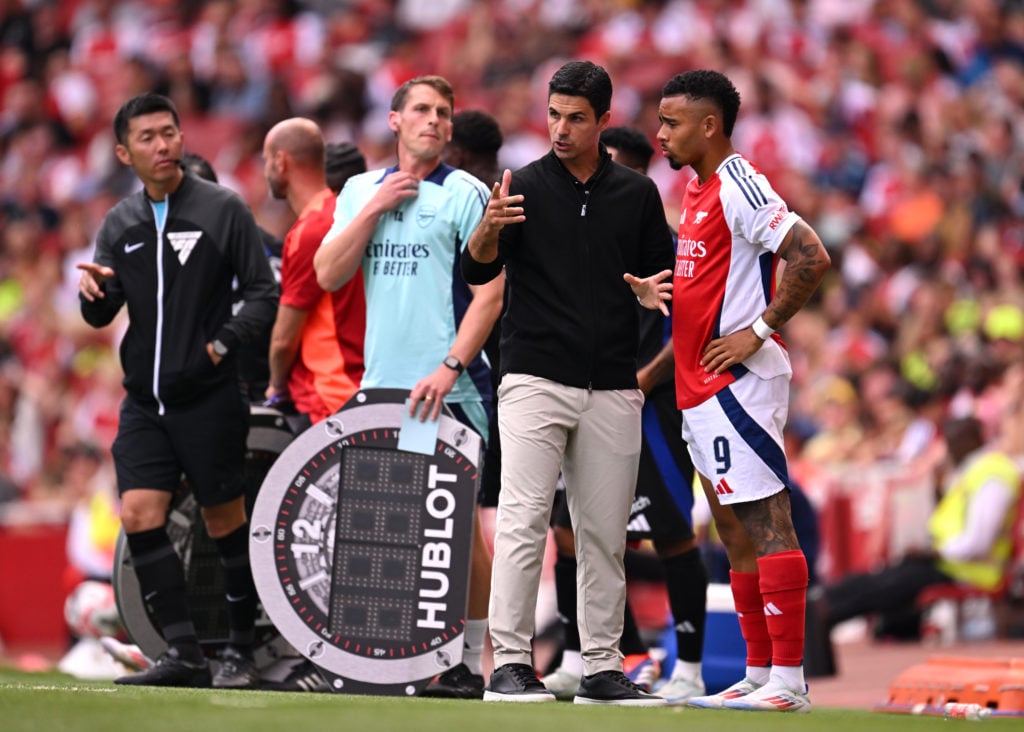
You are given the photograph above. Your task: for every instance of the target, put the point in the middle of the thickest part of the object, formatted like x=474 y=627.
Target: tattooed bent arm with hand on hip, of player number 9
x=806 y=264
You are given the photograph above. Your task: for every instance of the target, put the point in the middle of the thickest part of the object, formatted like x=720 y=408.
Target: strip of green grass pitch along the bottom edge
x=54 y=703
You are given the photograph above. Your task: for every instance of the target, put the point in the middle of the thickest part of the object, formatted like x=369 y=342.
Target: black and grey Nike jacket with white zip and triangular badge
x=178 y=286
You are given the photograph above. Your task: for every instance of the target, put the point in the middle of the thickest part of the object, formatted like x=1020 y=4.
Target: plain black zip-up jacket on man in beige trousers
x=570 y=316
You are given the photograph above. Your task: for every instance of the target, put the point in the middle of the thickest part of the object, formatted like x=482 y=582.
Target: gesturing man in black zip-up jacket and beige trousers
x=569 y=398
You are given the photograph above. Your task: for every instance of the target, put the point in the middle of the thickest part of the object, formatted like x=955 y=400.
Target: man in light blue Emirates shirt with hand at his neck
x=406 y=227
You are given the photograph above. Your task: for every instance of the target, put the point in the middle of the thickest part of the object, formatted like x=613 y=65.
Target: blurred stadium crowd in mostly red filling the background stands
x=894 y=128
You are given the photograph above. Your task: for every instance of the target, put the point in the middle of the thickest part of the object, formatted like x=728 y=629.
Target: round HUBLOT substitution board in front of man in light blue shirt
x=361 y=550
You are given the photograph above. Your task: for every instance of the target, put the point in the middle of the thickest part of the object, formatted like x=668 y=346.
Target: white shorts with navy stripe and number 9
x=736 y=439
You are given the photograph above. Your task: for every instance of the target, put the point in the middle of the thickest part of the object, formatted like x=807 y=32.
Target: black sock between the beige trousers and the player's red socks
x=687 y=583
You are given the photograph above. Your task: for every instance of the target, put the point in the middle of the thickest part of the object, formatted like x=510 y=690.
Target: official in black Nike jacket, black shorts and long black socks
x=170 y=253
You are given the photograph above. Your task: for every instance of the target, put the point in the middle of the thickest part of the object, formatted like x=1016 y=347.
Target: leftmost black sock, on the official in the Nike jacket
x=162 y=582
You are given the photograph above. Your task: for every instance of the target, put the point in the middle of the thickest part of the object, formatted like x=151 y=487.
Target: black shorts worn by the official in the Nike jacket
x=203 y=441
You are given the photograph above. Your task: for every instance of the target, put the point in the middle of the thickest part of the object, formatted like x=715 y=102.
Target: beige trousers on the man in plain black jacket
x=593 y=438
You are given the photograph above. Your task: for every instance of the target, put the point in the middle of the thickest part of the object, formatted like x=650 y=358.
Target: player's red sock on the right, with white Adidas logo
x=784 y=589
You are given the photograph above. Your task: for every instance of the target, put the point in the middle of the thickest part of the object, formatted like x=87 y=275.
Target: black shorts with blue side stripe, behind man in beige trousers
x=663 y=506
